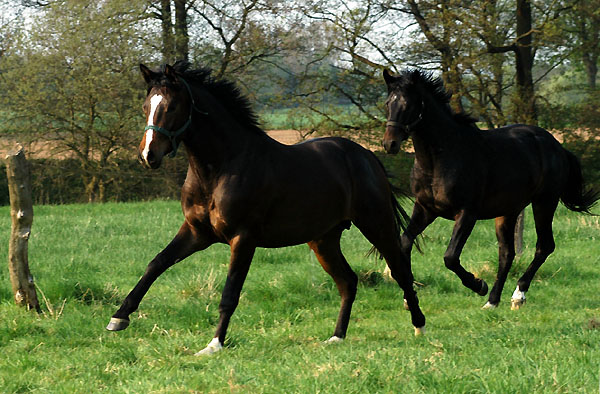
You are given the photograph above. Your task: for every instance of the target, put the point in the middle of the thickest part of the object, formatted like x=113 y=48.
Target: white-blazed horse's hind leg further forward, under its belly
x=329 y=254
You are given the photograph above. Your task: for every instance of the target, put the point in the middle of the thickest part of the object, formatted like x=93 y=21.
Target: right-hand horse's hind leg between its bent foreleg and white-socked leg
x=505 y=232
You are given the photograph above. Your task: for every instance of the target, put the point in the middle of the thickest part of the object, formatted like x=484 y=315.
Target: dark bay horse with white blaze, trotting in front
x=247 y=190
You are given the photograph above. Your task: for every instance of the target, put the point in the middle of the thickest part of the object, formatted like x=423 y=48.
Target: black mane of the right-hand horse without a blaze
x=410 y=79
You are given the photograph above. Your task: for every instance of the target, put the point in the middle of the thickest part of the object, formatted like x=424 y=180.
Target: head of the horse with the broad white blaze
x=168 y=108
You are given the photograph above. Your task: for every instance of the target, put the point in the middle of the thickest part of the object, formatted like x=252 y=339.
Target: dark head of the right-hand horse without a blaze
x=404 y=110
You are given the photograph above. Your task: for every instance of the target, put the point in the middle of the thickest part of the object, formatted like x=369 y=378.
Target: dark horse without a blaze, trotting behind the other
x=465 y=174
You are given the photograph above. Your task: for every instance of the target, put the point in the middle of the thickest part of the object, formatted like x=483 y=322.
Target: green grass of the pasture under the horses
x=87 y=257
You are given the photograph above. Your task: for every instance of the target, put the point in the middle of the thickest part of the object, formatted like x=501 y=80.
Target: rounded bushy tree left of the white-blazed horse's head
x=63 y=84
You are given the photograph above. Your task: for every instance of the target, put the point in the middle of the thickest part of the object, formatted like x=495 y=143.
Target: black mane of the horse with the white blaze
x=226 y=92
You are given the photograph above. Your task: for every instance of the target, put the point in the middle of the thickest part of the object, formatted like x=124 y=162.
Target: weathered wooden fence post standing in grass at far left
x=21 y=212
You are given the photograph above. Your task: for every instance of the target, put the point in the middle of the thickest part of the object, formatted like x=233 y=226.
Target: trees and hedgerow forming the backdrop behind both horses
x=70 y=83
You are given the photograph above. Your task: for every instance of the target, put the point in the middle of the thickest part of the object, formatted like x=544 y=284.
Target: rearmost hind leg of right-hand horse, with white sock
x=543 y=214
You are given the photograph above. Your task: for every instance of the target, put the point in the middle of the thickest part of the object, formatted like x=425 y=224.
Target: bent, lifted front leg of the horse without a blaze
x=462 y=229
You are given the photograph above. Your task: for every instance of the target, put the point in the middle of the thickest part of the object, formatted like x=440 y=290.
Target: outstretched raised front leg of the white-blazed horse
x=186 y=242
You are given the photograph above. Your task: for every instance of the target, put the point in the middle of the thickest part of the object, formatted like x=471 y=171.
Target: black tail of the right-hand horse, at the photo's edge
x=576 y=195
